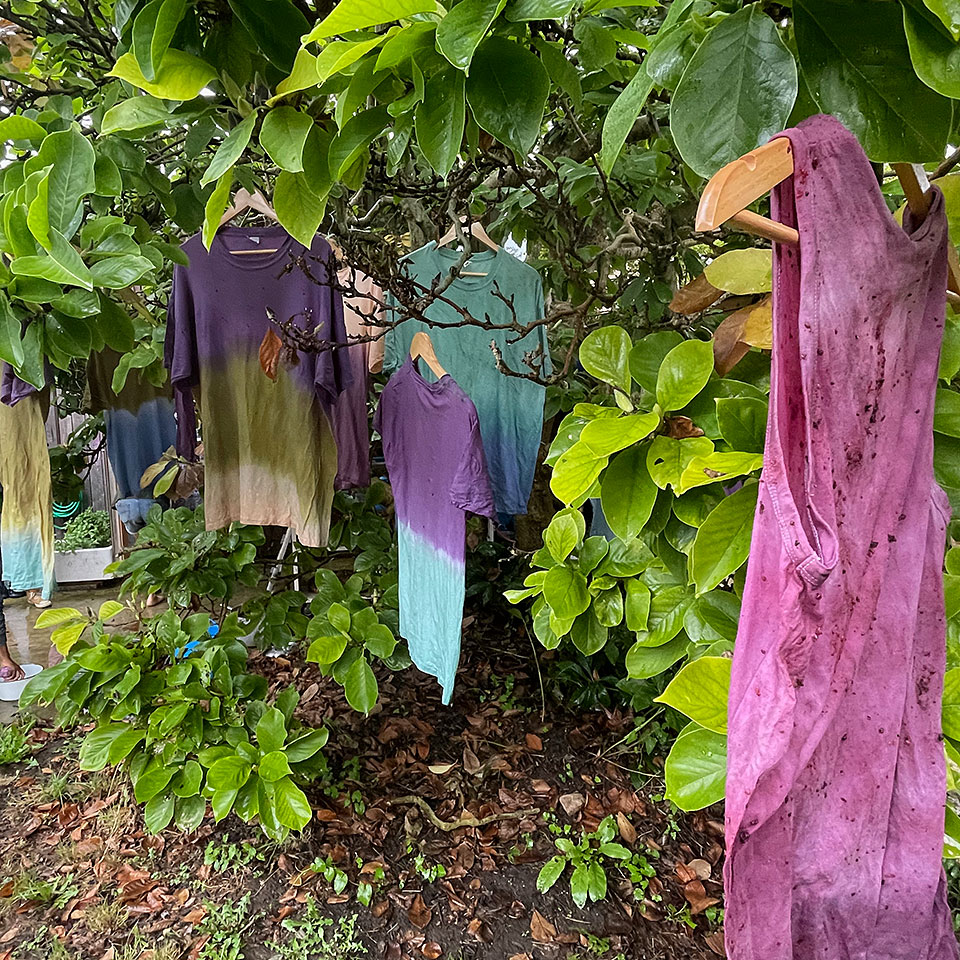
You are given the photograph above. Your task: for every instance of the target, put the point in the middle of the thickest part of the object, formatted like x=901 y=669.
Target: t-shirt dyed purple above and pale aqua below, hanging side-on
x=435 y=459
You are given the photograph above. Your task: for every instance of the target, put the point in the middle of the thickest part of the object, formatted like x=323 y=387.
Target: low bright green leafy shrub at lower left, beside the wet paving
x=175 y=706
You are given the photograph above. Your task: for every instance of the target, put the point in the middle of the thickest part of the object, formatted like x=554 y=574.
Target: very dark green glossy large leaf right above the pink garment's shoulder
x=858 y=68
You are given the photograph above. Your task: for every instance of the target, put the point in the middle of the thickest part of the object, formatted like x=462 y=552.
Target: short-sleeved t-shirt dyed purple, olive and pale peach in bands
x=269 y=452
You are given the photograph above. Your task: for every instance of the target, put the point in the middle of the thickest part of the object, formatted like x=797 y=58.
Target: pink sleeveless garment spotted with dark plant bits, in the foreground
x=835 y=772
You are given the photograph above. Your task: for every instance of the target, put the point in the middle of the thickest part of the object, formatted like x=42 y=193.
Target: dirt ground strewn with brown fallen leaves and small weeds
x=374 y=875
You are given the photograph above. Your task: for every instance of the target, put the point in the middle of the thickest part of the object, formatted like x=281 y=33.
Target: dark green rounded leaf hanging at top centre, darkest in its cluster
x=507 y=92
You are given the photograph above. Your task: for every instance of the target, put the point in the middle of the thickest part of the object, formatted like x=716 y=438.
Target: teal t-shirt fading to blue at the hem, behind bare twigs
x=510 y=408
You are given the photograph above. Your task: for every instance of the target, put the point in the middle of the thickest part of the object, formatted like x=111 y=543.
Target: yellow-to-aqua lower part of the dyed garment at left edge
x=26 y=521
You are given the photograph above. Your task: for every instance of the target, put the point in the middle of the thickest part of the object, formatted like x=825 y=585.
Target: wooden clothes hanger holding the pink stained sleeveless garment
x=756 y=173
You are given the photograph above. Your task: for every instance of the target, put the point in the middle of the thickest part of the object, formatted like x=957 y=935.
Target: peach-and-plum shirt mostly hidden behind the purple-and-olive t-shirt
x=351 y=423
